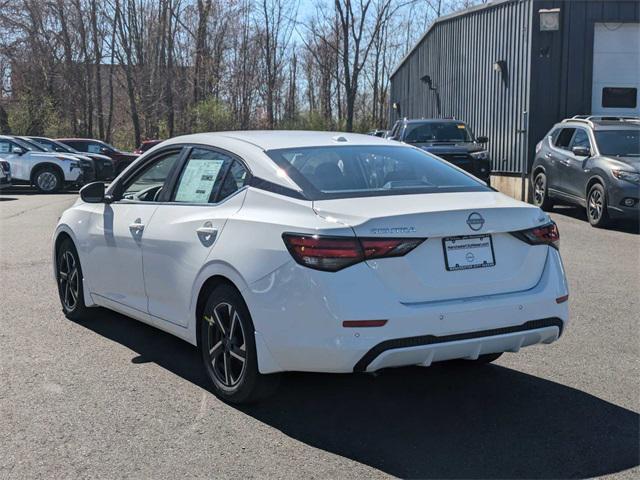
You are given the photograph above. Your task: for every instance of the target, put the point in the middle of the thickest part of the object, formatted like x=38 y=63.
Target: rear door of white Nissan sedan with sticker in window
x=183 y=232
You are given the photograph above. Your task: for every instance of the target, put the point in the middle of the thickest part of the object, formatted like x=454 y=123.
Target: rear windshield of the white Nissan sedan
x=360 y=171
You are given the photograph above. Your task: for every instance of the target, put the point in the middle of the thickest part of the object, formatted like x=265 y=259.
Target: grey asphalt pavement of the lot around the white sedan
x=112 y=398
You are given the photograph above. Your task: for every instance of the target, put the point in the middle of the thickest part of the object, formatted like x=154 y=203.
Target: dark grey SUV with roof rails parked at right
x=593 y=162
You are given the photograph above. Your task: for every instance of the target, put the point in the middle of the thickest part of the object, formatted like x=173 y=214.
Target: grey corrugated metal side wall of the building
x=459 y=54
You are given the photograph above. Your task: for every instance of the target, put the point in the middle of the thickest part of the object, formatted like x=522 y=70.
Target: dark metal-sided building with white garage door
x=511 y=69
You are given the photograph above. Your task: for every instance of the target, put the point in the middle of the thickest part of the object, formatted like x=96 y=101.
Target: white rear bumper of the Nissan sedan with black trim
x=299 y=313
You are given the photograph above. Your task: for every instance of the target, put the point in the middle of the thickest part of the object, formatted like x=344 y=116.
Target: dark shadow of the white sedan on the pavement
x=445 y=421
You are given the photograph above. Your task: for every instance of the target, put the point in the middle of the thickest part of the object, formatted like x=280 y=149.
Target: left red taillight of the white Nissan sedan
x=335 y=253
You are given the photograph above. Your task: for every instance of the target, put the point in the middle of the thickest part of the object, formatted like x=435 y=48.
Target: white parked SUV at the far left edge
x=47 y=171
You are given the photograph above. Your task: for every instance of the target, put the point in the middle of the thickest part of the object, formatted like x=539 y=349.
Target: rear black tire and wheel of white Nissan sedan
x=228 y=348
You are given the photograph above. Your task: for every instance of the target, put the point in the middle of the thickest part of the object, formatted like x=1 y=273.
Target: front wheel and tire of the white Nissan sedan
x=69 y=279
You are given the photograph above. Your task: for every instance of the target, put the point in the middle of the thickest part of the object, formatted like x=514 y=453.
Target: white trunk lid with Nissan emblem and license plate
x=423 y=275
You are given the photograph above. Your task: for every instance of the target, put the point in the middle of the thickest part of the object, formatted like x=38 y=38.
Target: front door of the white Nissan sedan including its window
x=116 y=233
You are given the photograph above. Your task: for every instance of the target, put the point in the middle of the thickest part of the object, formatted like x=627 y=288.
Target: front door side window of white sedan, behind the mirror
x=146 y=185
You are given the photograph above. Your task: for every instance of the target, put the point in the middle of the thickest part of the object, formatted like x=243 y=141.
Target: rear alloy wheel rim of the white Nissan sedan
x=227 y=345
